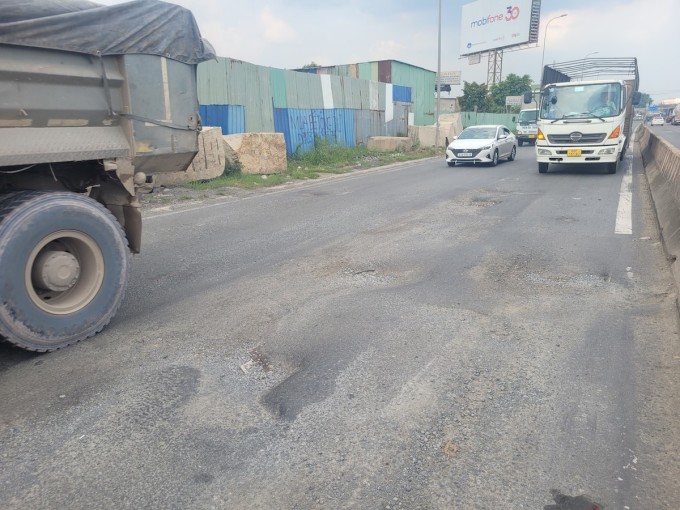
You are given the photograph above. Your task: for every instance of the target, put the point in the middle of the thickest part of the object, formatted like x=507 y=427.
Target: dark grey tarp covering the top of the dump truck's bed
x=142 y=26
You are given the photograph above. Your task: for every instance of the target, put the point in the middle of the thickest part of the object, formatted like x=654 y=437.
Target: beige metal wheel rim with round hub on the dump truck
x=78 y=259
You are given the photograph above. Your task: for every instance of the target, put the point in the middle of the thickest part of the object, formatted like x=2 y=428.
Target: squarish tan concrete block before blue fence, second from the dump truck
x=257 y=153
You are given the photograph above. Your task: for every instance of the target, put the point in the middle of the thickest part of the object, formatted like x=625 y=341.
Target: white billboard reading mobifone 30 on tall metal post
x=495 y=24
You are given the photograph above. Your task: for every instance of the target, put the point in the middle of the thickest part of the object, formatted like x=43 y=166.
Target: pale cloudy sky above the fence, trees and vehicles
x=289 y=34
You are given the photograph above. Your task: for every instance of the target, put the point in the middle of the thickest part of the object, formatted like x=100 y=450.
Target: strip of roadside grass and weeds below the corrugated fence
x=325 y=158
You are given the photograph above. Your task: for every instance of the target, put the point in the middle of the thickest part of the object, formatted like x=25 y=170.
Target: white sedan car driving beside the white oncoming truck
x=482 y=144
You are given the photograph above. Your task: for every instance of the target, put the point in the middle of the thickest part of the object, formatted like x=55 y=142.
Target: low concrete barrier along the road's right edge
x=662 y=167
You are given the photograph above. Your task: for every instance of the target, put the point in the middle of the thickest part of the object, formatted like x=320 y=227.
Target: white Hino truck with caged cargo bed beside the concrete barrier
x=582 y=120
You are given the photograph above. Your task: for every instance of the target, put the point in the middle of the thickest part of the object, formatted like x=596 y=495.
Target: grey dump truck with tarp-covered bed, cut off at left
x=94 y=100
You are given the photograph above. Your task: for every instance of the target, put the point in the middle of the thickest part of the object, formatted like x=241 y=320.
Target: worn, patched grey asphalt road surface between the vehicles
x=415 y=336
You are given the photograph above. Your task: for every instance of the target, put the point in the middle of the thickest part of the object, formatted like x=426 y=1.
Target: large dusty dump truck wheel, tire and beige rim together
x=64 y=263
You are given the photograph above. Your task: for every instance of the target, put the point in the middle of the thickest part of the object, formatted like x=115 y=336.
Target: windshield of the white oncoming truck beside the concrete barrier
x=581 y=101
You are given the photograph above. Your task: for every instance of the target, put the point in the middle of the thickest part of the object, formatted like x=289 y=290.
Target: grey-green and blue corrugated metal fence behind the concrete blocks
x=240 y=97
